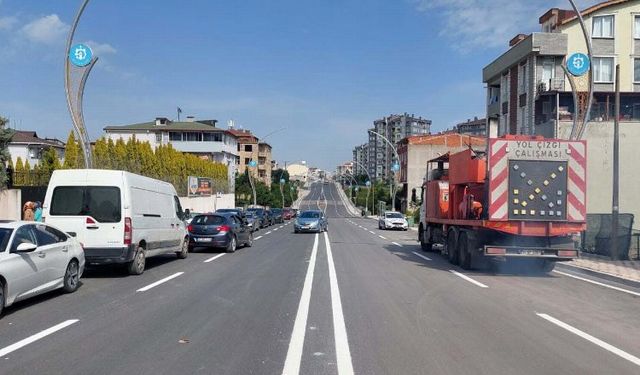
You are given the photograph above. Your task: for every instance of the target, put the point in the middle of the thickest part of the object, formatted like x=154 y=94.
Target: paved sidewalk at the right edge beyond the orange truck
x=624 y=269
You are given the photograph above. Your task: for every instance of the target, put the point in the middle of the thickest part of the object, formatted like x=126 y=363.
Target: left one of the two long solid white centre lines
x=294 y=353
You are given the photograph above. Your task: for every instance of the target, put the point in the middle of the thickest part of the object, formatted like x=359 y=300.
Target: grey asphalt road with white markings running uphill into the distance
x=356 y=300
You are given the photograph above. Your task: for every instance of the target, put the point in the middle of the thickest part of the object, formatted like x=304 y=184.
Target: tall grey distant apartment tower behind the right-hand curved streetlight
x=381 y=156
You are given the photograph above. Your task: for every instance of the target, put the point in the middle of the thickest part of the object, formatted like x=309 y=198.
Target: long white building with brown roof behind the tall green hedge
x=201 y=138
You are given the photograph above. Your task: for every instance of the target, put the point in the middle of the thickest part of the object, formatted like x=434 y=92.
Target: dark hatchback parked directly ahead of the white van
x=222 y=230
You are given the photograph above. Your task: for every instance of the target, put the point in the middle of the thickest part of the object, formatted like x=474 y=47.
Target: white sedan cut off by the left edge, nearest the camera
x=36 y=258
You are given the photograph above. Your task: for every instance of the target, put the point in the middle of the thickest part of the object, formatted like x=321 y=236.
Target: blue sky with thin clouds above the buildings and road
x=324 y=69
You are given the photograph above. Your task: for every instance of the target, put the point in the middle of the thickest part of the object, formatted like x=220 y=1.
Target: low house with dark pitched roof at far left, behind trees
x=27 y=146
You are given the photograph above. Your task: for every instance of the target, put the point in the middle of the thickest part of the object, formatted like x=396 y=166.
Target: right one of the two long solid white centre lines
x=343 y=354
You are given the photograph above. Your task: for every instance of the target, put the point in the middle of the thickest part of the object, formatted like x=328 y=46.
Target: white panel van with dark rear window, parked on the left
x=119 y=217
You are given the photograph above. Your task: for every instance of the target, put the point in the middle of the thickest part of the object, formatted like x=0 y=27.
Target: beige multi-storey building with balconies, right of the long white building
x=250 y=148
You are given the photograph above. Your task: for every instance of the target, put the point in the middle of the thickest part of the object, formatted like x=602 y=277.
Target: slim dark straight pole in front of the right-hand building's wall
x=615 y=209
